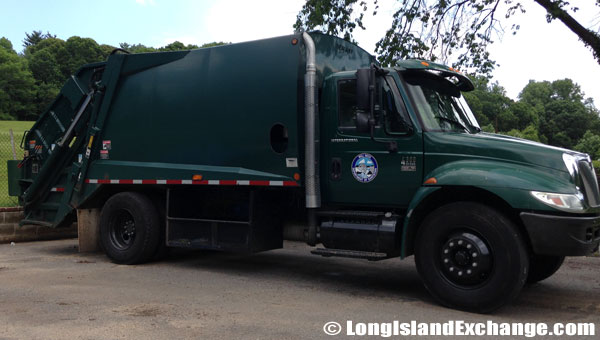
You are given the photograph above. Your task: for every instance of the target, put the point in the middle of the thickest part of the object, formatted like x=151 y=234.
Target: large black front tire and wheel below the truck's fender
x=471 y=257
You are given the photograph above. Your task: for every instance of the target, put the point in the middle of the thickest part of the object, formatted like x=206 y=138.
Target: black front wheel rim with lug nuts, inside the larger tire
x=466 y=260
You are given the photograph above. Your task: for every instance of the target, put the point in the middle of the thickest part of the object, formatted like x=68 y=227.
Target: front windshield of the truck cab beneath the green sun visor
x=440 y=104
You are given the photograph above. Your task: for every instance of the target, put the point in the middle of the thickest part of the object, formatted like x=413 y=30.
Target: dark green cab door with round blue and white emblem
x=361 y=171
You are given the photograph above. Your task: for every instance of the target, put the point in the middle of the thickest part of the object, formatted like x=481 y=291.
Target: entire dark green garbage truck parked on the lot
x=223 y=148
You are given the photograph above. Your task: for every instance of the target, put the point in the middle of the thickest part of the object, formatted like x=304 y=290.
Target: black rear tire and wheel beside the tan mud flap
x=129 y=228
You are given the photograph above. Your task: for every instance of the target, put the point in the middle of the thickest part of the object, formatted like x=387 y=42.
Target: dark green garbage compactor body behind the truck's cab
x=173 y=115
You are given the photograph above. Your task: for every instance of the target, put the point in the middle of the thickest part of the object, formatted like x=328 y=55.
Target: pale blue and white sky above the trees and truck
x=539 y=51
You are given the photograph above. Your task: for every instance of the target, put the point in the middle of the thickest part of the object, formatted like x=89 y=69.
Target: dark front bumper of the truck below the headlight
x=562 y=235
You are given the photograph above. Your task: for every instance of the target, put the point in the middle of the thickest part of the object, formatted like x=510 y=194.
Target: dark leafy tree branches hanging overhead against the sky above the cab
x=438 y=29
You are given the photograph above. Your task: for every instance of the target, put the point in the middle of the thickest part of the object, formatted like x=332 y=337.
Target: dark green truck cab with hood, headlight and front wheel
x=482 y=213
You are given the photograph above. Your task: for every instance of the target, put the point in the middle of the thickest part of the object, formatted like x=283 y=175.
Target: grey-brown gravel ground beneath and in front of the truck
x=50 y=291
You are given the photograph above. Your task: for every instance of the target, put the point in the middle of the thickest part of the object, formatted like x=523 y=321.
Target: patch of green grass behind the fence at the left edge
x=6 y=153
